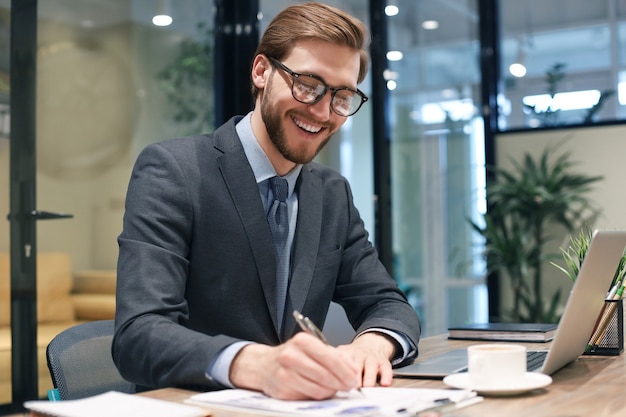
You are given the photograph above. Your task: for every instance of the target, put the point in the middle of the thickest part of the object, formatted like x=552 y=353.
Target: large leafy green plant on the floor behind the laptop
x=525 y=204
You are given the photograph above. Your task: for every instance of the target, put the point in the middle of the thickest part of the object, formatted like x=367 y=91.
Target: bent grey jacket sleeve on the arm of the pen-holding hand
x=150 y=347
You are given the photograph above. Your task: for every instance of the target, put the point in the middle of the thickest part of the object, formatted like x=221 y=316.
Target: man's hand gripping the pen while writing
x=301 y=368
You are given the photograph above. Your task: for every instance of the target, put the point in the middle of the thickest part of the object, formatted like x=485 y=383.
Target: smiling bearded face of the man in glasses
x=299 y=131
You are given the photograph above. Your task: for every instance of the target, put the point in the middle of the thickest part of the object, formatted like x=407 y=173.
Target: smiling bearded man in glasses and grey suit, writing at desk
x=211 y=266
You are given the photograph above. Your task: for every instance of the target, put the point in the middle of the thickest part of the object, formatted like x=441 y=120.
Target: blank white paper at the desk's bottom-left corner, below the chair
x=115 y=404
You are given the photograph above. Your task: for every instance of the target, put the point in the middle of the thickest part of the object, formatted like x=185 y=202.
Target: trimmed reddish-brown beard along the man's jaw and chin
x=273 y=125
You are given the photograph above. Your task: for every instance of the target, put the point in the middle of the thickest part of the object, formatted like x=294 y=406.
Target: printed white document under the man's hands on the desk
x=376 y=401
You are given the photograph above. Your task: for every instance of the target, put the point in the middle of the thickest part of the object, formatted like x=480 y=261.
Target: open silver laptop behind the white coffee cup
x=577 y=322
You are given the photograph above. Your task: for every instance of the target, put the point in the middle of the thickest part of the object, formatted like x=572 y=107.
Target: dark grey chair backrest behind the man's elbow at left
x=80 y=361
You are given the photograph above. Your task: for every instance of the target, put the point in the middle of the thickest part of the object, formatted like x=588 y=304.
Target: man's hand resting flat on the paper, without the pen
x=372 y=352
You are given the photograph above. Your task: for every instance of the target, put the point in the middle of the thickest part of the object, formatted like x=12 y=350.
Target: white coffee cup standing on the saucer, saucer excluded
x=496 y=365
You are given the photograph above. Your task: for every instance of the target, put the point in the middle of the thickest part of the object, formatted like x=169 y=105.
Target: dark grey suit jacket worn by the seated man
x=196 y=267
